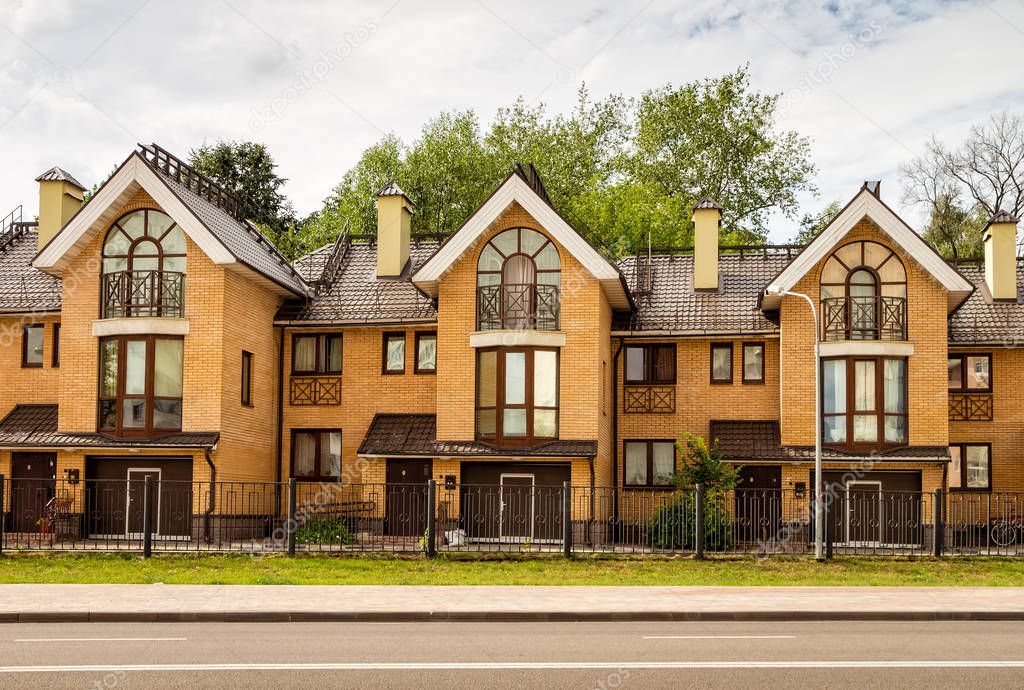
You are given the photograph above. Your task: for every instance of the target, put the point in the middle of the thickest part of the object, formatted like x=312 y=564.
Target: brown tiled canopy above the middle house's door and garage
x=398 y=435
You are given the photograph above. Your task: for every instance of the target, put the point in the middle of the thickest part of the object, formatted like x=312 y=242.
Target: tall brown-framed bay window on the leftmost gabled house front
x=141 y=381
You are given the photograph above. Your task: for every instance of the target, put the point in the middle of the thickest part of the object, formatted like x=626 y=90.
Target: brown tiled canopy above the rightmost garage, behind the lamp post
x=747 y=441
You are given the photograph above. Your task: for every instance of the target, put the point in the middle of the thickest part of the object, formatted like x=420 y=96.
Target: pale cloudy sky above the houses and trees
x=82 y=81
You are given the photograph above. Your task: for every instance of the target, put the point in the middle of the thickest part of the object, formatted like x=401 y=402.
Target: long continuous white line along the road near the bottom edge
x=510 y=666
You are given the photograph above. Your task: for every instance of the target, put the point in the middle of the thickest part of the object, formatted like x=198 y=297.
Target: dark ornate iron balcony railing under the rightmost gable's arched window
x=864 y=318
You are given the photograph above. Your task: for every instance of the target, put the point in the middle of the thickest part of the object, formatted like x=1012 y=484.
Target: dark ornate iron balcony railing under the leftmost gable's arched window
x=144 y=294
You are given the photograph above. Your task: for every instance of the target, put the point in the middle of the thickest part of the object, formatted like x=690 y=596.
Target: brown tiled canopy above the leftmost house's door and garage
x=36 y=426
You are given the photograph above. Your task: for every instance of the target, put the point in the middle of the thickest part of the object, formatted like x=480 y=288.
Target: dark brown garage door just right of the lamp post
x=877 y=508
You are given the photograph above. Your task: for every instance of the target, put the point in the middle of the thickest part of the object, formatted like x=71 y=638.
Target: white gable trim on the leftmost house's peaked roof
x=76 y=235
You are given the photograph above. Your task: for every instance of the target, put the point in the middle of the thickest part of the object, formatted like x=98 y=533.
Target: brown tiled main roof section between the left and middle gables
x=357 y=295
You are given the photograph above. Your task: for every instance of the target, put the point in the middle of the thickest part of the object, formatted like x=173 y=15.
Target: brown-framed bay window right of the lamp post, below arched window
x=864 y=403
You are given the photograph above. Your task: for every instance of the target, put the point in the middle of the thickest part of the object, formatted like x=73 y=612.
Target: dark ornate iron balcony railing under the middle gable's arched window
x=518 y=308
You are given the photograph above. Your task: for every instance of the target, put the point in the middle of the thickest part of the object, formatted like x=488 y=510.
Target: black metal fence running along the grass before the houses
x=149 y=515
